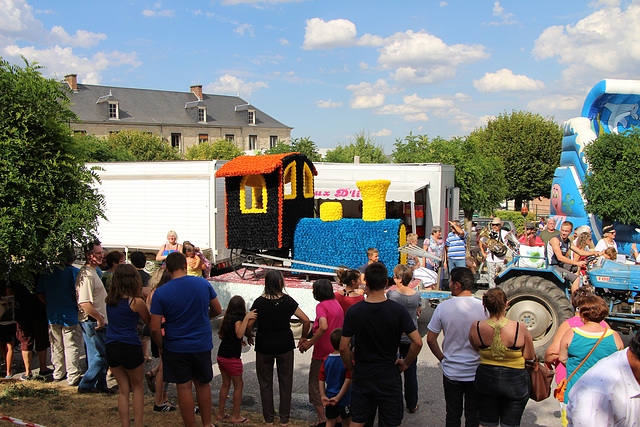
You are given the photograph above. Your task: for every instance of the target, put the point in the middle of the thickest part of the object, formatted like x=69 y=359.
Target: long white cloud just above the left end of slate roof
x=61 y=60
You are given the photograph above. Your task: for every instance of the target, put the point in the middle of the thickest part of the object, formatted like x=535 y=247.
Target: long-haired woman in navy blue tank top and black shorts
x=123 y=346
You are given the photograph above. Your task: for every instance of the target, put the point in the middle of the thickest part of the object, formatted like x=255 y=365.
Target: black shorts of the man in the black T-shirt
x=381 y=392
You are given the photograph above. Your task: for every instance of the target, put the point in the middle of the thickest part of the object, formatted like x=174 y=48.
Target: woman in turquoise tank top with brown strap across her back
x=577 y=342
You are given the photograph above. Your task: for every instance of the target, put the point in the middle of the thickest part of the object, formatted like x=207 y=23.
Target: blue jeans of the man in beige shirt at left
x=96 y=375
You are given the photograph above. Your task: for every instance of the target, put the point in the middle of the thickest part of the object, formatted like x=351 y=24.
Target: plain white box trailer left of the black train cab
x=144 y=200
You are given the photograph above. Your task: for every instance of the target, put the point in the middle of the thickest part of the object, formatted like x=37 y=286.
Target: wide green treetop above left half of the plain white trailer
x=143 y=146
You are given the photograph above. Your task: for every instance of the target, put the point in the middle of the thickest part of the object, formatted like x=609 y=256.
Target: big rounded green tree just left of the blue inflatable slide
x=528 y=146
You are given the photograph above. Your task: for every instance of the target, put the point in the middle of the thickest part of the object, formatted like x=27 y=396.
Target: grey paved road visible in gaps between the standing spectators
x=431 y=396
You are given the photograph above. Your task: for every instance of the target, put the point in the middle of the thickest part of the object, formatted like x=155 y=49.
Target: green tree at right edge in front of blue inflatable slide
x=611 y=188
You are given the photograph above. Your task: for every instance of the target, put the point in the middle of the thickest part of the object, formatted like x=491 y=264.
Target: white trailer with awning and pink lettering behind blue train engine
x=422 y=194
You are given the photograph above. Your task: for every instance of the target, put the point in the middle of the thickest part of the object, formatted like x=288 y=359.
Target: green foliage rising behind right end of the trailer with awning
x=479 y=177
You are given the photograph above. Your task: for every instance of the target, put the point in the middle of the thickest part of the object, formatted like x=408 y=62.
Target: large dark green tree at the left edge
x=47 y=203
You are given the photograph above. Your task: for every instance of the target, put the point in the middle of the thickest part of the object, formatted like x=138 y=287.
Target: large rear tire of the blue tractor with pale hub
x=539 y=304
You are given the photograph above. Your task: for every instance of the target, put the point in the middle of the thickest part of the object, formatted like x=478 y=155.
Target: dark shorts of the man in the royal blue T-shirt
x=180 y=368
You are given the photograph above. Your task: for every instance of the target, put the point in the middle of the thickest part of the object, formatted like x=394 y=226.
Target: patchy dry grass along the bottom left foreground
x=56 y=404
